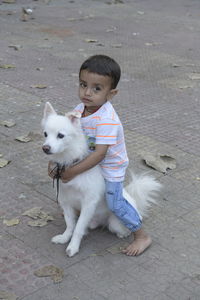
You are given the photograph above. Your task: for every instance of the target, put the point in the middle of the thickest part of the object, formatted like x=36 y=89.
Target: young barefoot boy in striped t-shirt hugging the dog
x=98 y=78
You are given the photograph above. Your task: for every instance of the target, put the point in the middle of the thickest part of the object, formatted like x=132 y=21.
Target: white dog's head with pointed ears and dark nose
x=59 y=131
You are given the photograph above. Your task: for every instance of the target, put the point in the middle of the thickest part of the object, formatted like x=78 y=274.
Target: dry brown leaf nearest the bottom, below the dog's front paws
x=55 y=273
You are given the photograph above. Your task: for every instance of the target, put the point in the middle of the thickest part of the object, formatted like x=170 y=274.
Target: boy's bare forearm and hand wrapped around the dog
x=89 y=162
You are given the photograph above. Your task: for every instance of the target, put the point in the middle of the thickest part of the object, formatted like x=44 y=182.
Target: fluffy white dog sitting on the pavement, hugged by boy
x=66 y=143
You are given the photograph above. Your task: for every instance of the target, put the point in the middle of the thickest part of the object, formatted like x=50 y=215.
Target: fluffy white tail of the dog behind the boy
x=141 y=192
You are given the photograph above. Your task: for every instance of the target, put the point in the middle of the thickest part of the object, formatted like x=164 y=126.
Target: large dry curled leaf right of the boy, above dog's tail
x=161 y=163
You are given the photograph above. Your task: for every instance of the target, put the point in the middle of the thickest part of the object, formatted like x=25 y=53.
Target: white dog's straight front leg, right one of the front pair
x=82 y=224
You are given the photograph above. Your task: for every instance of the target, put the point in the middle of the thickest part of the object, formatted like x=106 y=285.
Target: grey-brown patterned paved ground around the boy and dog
x=158 y=47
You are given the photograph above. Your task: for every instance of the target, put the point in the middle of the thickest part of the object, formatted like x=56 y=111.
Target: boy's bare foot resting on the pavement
x=141 y=242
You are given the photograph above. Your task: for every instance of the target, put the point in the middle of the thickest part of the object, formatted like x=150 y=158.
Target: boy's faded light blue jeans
x=127 y=214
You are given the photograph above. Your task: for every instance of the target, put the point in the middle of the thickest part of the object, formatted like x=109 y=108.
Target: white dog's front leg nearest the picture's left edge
x=70 y=219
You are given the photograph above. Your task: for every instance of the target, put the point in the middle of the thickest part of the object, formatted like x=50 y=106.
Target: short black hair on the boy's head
x=103 y=65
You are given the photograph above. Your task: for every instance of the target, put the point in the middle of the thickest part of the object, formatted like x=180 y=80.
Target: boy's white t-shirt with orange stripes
x=104 y=127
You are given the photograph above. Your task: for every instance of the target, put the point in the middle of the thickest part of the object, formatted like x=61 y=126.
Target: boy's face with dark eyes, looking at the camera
x=95 y=89
